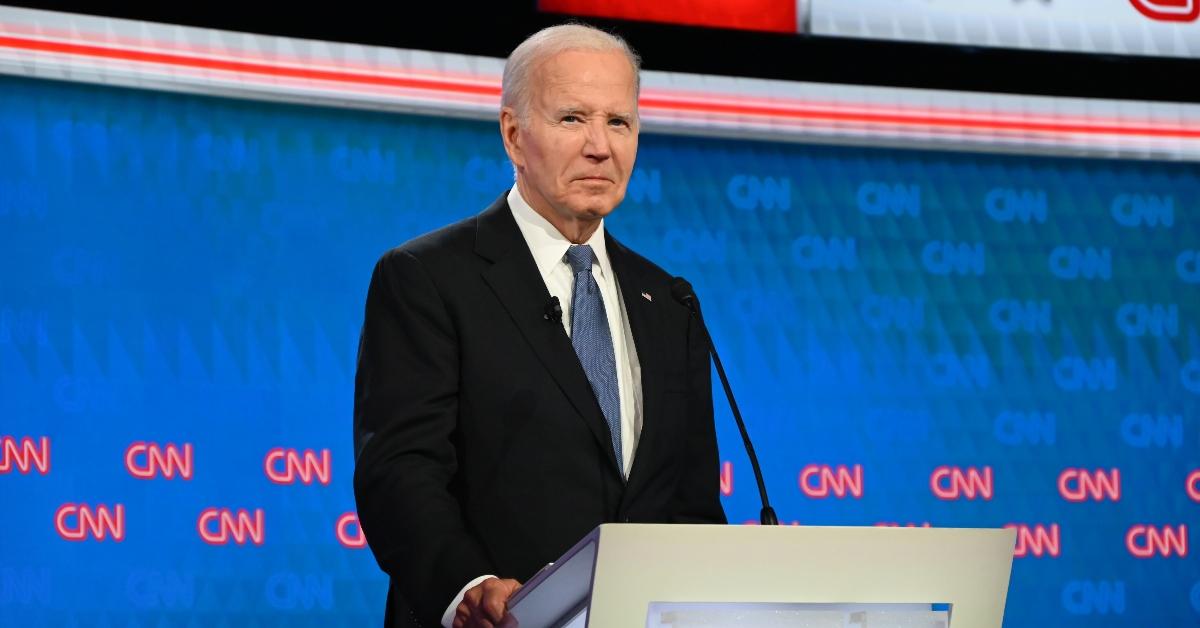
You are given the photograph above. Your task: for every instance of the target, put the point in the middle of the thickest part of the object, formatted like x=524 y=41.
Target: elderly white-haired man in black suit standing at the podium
x=523 y=376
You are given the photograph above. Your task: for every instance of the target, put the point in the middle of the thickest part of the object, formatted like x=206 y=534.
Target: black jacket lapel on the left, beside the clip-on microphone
x=517 y=283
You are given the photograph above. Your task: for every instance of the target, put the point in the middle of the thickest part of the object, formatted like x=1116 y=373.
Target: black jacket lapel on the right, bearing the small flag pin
x=645 y=322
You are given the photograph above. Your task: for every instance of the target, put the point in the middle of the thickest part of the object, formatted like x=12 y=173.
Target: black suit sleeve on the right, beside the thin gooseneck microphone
x=698 y=497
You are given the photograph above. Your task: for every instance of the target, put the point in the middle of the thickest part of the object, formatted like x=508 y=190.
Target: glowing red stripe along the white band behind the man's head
x=788 y=115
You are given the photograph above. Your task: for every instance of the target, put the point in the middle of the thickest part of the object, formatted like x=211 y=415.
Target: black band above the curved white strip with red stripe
x=495 y=28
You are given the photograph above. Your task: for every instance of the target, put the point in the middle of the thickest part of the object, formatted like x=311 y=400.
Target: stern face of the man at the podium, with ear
x=578 y=148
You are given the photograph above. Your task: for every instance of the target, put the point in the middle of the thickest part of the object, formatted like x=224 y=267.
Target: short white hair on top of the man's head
x=547 y=44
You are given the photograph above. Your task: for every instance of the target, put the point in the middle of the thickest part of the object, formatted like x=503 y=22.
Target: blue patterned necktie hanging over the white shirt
x=593 y=342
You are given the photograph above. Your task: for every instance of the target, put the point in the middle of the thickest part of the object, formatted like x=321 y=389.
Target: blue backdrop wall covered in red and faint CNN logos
x=916 y=337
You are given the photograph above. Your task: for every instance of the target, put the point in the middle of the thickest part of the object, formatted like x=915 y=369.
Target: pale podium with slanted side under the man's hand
x=680 y=576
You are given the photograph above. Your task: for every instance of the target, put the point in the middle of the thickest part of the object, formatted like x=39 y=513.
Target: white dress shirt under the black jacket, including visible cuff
x=549 y=249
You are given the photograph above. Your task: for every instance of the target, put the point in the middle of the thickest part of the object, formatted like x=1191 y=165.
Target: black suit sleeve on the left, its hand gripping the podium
x=406 y=408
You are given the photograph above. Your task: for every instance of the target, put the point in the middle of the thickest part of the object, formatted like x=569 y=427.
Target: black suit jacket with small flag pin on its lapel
x=481 y=447
